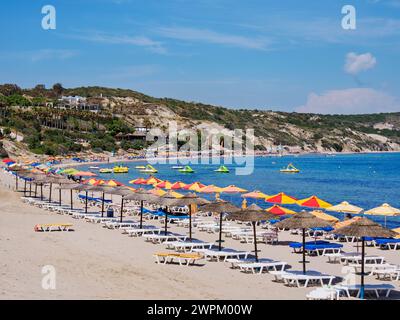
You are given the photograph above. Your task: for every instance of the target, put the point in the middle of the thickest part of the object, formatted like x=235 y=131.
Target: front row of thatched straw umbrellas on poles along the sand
x=361 y=227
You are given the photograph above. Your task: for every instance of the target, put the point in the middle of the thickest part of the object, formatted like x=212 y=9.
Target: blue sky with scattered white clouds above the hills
x=282 y=55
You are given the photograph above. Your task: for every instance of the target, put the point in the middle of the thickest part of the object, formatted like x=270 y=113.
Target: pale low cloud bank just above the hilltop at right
x=350 y=101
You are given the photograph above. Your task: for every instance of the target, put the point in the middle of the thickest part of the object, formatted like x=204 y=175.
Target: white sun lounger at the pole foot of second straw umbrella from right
x=300 y=279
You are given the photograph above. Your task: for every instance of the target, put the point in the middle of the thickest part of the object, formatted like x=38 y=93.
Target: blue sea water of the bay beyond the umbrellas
x=366 y=180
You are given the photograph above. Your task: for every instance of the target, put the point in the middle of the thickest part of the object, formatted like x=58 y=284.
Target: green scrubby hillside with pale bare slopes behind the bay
x=53 y=131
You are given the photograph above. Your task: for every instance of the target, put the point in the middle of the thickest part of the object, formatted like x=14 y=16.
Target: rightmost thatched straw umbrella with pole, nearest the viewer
x=364 y=228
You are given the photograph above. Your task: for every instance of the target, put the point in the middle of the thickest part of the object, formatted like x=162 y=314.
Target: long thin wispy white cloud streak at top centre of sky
x=209 y=36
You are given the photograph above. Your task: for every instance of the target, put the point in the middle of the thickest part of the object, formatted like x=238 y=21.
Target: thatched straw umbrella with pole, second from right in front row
x=303 y=220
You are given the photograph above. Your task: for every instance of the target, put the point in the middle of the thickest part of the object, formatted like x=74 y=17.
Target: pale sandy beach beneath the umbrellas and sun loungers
x=93 y=262
